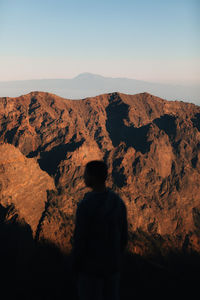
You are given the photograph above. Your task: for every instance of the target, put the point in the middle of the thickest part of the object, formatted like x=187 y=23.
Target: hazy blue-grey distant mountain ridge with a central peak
x=90 y=85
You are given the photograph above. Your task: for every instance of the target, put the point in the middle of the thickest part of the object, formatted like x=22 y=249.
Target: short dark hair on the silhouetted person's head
x=97 y=169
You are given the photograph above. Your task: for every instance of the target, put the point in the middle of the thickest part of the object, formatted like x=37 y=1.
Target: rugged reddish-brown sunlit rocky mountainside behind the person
x=151 y=146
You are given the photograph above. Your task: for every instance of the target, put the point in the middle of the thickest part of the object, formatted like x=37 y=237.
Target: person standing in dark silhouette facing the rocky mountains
x=100 y=237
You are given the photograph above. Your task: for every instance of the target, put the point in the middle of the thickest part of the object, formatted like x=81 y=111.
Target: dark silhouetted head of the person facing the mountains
x=96 y=173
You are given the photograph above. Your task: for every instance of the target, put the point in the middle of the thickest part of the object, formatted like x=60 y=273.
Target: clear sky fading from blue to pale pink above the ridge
x=152 y=40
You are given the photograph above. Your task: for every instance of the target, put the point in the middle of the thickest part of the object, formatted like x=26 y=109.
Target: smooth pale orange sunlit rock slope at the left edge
x=23 y=185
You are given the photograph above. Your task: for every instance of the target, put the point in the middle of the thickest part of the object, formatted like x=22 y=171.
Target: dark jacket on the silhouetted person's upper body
x=101 y=233
